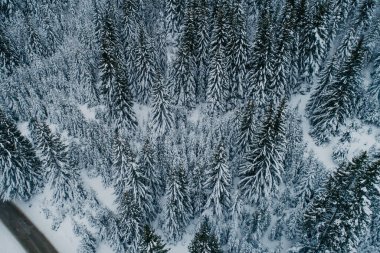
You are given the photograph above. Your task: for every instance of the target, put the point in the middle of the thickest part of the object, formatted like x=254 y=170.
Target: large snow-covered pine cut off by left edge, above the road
x=20 y=169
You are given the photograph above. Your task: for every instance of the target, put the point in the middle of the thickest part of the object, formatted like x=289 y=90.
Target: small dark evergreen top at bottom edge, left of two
x=151 y=243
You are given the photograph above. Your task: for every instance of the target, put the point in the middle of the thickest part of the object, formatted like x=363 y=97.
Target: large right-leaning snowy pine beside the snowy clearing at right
x=339 y=99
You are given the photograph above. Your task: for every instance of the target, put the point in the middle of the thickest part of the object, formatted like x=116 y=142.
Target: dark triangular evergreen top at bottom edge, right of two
x=205 y=240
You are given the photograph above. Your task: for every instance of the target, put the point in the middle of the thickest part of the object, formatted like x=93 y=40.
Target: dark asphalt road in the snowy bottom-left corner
x=23 y=229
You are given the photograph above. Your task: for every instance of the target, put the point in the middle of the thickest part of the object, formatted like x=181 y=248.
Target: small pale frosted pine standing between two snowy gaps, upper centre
x=162 y=115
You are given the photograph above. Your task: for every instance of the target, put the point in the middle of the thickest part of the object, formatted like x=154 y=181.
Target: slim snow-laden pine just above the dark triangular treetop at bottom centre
x=218 y=182
